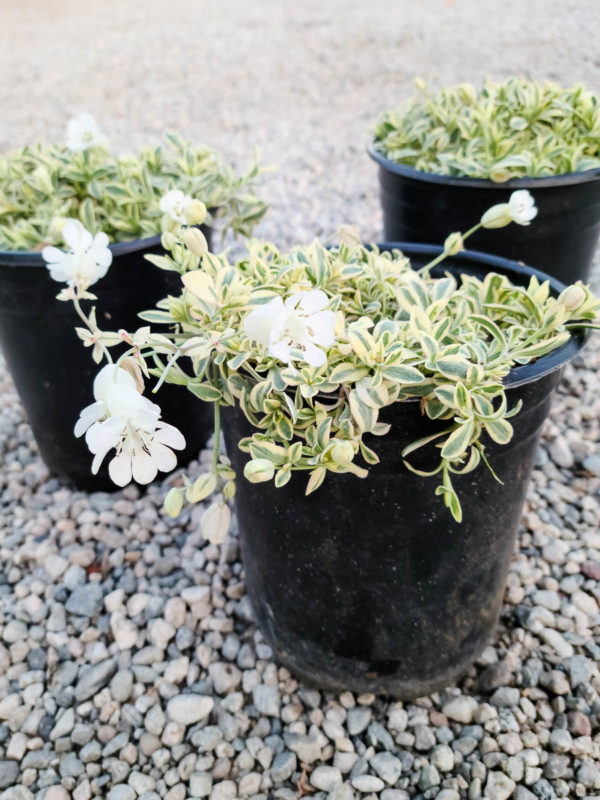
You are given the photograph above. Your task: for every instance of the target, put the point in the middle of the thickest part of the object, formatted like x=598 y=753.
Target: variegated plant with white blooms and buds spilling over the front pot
x=313 y=344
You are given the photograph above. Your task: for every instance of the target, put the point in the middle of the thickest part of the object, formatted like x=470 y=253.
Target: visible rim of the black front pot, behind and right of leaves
x=526 y=373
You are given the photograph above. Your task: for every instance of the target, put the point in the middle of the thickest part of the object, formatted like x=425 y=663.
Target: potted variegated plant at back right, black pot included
x=446 y=156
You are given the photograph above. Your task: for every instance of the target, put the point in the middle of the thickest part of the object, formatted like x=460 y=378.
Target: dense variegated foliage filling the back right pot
x=501 y=131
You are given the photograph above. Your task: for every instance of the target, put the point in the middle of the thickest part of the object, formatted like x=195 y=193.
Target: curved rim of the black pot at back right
x=565 y=179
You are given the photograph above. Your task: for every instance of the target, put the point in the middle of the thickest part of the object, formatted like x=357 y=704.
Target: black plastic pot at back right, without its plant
x=561 y=240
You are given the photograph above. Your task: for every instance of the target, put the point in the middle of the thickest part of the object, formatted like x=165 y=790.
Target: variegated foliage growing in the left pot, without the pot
x=43 y=185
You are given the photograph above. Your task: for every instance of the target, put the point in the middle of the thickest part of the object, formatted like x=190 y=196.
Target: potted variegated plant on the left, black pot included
x=131 y=199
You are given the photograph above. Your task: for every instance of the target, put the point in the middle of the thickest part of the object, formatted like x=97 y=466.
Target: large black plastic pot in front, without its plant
x=369 y=584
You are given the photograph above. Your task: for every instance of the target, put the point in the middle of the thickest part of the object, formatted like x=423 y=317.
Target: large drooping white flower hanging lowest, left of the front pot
x=123 y=419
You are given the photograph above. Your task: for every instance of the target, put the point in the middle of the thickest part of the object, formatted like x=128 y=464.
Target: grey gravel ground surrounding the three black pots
x=110 y=612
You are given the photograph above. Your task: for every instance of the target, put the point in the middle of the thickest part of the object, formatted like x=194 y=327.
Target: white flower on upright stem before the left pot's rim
x=86 y=260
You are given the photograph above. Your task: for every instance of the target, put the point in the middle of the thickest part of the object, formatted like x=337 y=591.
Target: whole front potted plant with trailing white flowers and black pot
x=429 y=381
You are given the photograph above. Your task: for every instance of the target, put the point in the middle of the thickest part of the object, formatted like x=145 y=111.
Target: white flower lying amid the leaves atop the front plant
x=292 y=330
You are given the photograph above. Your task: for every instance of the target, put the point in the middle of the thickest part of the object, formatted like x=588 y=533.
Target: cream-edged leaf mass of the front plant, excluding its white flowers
x=400 y=334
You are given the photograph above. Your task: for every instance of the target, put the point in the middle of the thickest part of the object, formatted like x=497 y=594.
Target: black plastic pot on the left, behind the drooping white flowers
x=53 y=372
